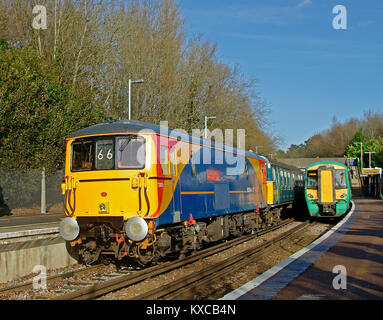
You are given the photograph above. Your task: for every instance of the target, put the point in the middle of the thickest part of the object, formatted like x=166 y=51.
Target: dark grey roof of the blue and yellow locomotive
x=132 y=126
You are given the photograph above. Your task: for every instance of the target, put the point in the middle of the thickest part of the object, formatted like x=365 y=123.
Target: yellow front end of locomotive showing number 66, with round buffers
x=108 y=197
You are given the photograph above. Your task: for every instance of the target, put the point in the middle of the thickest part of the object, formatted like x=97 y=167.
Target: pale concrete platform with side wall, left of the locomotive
x=30 y=240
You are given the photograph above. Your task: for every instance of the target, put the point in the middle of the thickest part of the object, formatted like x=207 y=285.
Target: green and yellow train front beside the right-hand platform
x=327 y=189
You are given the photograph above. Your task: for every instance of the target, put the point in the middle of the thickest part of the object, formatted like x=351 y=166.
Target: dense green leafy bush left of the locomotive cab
x=37 y=111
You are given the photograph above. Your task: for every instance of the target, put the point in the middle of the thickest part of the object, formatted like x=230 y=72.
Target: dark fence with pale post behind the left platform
x=23 y=192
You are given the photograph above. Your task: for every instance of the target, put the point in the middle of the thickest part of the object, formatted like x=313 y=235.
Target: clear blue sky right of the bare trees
x=307 y=71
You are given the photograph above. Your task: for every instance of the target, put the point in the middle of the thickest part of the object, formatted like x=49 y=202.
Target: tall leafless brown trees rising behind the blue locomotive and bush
x=100 y=45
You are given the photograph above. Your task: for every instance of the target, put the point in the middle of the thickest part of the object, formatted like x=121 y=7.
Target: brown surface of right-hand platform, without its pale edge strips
x=360 y=251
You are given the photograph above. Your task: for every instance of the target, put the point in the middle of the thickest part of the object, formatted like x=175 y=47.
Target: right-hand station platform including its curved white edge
x=346 y=263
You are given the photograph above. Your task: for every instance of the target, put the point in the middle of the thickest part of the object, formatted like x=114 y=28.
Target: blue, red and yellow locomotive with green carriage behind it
x=138 y=191
